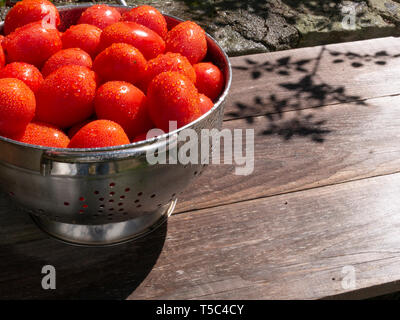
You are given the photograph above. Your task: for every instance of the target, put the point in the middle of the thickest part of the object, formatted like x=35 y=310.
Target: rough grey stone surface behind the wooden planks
x=253 y=26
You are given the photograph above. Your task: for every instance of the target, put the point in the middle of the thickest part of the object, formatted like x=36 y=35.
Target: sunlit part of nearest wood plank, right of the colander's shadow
x=291 y=246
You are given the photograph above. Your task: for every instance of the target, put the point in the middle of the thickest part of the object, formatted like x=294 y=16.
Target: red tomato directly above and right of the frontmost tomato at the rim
x=124 y=104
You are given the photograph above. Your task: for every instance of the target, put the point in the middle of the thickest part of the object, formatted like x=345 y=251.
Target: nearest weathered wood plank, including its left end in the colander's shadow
x=288 y=246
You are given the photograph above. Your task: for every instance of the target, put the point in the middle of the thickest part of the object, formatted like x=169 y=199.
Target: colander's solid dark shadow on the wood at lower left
x=81 y=272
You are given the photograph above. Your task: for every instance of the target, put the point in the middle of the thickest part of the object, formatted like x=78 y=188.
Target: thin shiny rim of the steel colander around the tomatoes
x=138 y=144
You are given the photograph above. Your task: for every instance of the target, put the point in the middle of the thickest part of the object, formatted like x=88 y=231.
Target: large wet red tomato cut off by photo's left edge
x=17 y=106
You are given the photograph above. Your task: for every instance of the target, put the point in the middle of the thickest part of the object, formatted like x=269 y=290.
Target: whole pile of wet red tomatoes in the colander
x=105 y=81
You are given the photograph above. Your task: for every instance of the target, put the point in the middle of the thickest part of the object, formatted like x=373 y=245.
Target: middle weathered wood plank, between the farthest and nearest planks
x=359 y=141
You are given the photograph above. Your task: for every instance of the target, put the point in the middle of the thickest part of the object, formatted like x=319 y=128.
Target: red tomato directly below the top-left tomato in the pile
x=32 y=43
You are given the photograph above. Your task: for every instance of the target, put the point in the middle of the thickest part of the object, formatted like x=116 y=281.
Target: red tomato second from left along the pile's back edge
x=100 y=16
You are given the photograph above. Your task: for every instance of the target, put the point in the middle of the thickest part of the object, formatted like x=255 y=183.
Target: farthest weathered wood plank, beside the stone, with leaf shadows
x=316 y=76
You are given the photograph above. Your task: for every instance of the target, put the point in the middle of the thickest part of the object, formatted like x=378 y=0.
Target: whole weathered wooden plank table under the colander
x=323 y=201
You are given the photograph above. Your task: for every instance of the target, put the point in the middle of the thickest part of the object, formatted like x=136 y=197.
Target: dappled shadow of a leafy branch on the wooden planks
x=308 y=91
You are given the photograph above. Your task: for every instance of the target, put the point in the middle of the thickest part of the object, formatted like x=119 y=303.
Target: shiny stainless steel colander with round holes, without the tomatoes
x=109 y=195
